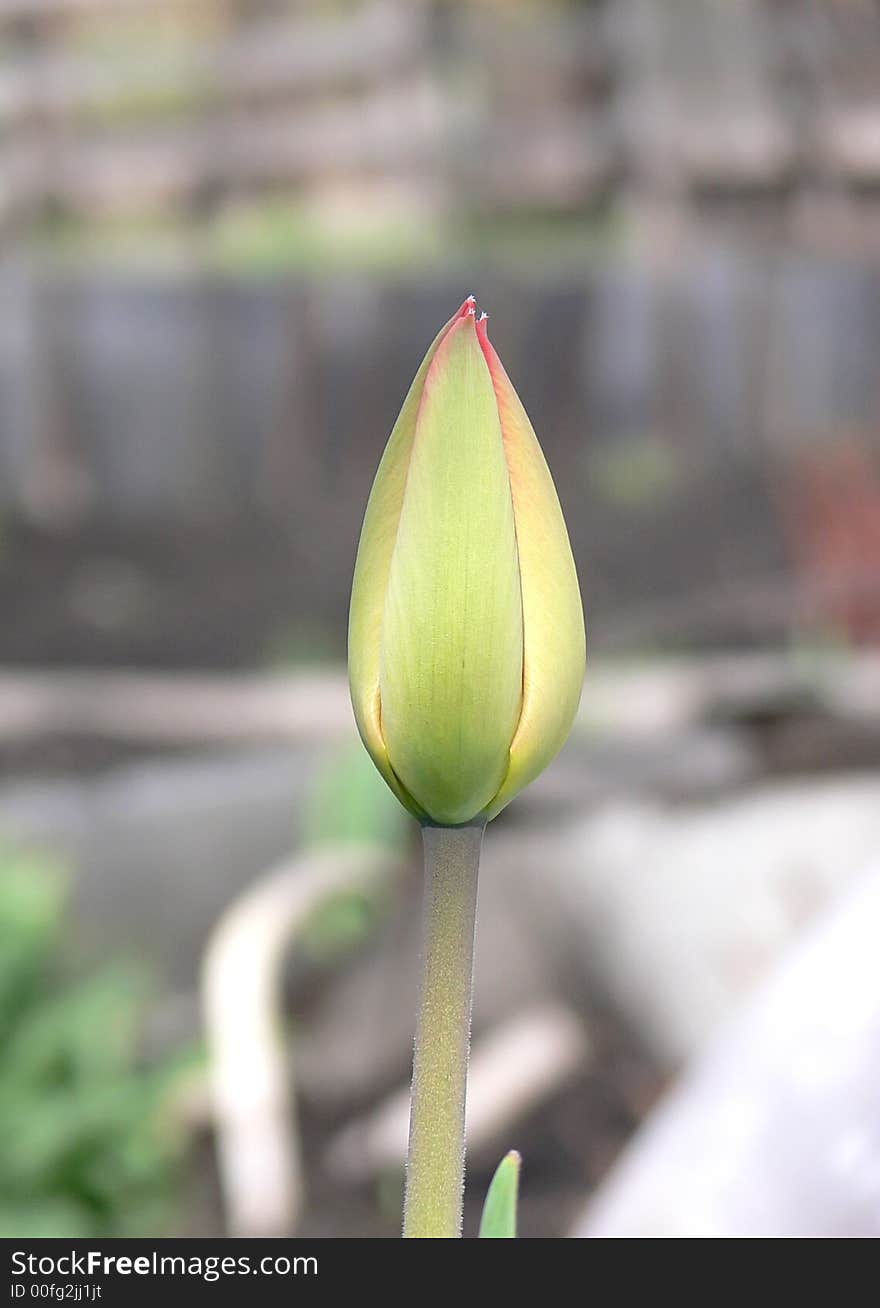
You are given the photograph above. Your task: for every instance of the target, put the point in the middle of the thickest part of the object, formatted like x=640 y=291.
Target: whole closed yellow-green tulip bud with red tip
x=466 y=630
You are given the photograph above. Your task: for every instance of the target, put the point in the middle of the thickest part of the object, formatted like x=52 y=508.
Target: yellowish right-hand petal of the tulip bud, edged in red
x=554 y=635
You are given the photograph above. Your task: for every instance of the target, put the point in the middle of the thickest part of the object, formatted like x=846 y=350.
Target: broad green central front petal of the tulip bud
x=453 y=628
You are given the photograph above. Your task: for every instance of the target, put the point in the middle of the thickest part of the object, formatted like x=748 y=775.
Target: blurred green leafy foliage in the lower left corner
x=88 y=1146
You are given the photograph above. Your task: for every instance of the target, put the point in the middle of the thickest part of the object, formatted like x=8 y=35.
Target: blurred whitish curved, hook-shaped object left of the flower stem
x=258 y=1145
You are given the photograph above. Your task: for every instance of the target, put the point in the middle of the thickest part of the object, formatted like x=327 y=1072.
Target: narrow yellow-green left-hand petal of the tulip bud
x=379 y=537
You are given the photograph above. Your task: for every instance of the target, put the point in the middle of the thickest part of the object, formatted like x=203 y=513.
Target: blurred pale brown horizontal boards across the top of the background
x=127 y=105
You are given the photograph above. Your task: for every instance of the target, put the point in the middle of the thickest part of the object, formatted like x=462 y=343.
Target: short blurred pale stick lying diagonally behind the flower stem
x=513 y=1069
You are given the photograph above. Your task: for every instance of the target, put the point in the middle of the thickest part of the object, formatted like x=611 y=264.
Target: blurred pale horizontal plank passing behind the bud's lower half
x=645 y=700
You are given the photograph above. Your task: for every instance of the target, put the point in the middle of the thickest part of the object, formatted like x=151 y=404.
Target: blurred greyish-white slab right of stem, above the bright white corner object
x=682 y=910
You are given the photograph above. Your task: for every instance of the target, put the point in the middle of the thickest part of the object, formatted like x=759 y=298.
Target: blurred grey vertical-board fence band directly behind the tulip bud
x=712 y=436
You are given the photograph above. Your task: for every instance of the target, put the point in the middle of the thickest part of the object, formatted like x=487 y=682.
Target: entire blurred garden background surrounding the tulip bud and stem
x=228 y=233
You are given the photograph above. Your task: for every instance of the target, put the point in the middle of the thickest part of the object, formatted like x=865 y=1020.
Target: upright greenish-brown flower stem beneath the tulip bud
x=436 y=1160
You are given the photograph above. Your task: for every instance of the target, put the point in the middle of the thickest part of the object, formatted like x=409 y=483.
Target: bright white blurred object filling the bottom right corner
x=775 y=1132
